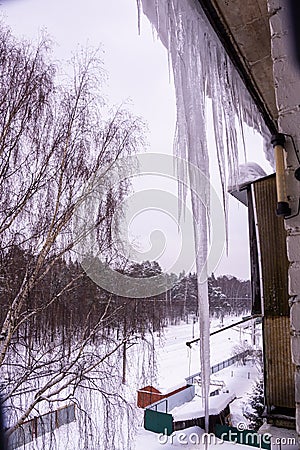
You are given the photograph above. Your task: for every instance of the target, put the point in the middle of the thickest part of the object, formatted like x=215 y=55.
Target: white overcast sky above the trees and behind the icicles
x=138 y=74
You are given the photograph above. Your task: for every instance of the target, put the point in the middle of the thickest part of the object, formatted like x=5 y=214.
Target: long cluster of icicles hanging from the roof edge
x=202 y=69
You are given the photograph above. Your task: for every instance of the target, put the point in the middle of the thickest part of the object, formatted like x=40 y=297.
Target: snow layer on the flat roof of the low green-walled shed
x=195 y=408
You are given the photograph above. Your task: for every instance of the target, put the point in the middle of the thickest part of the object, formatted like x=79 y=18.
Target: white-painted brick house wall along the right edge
x=287 y=91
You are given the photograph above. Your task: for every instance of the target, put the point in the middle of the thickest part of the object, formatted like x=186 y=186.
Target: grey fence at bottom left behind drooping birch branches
x=41 y=425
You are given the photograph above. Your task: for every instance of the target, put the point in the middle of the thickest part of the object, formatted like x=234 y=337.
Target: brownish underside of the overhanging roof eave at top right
x=243 y=28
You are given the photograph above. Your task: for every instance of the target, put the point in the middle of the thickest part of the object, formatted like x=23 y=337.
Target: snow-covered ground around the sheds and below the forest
x=175 y=362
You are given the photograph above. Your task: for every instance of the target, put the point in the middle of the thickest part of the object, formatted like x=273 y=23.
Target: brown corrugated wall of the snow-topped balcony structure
x=279 y=370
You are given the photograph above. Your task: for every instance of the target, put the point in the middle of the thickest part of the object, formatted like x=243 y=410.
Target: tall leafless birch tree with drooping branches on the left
x=54 y=139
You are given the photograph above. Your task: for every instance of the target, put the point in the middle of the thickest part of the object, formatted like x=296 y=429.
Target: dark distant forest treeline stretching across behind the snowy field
x=80 y=302
